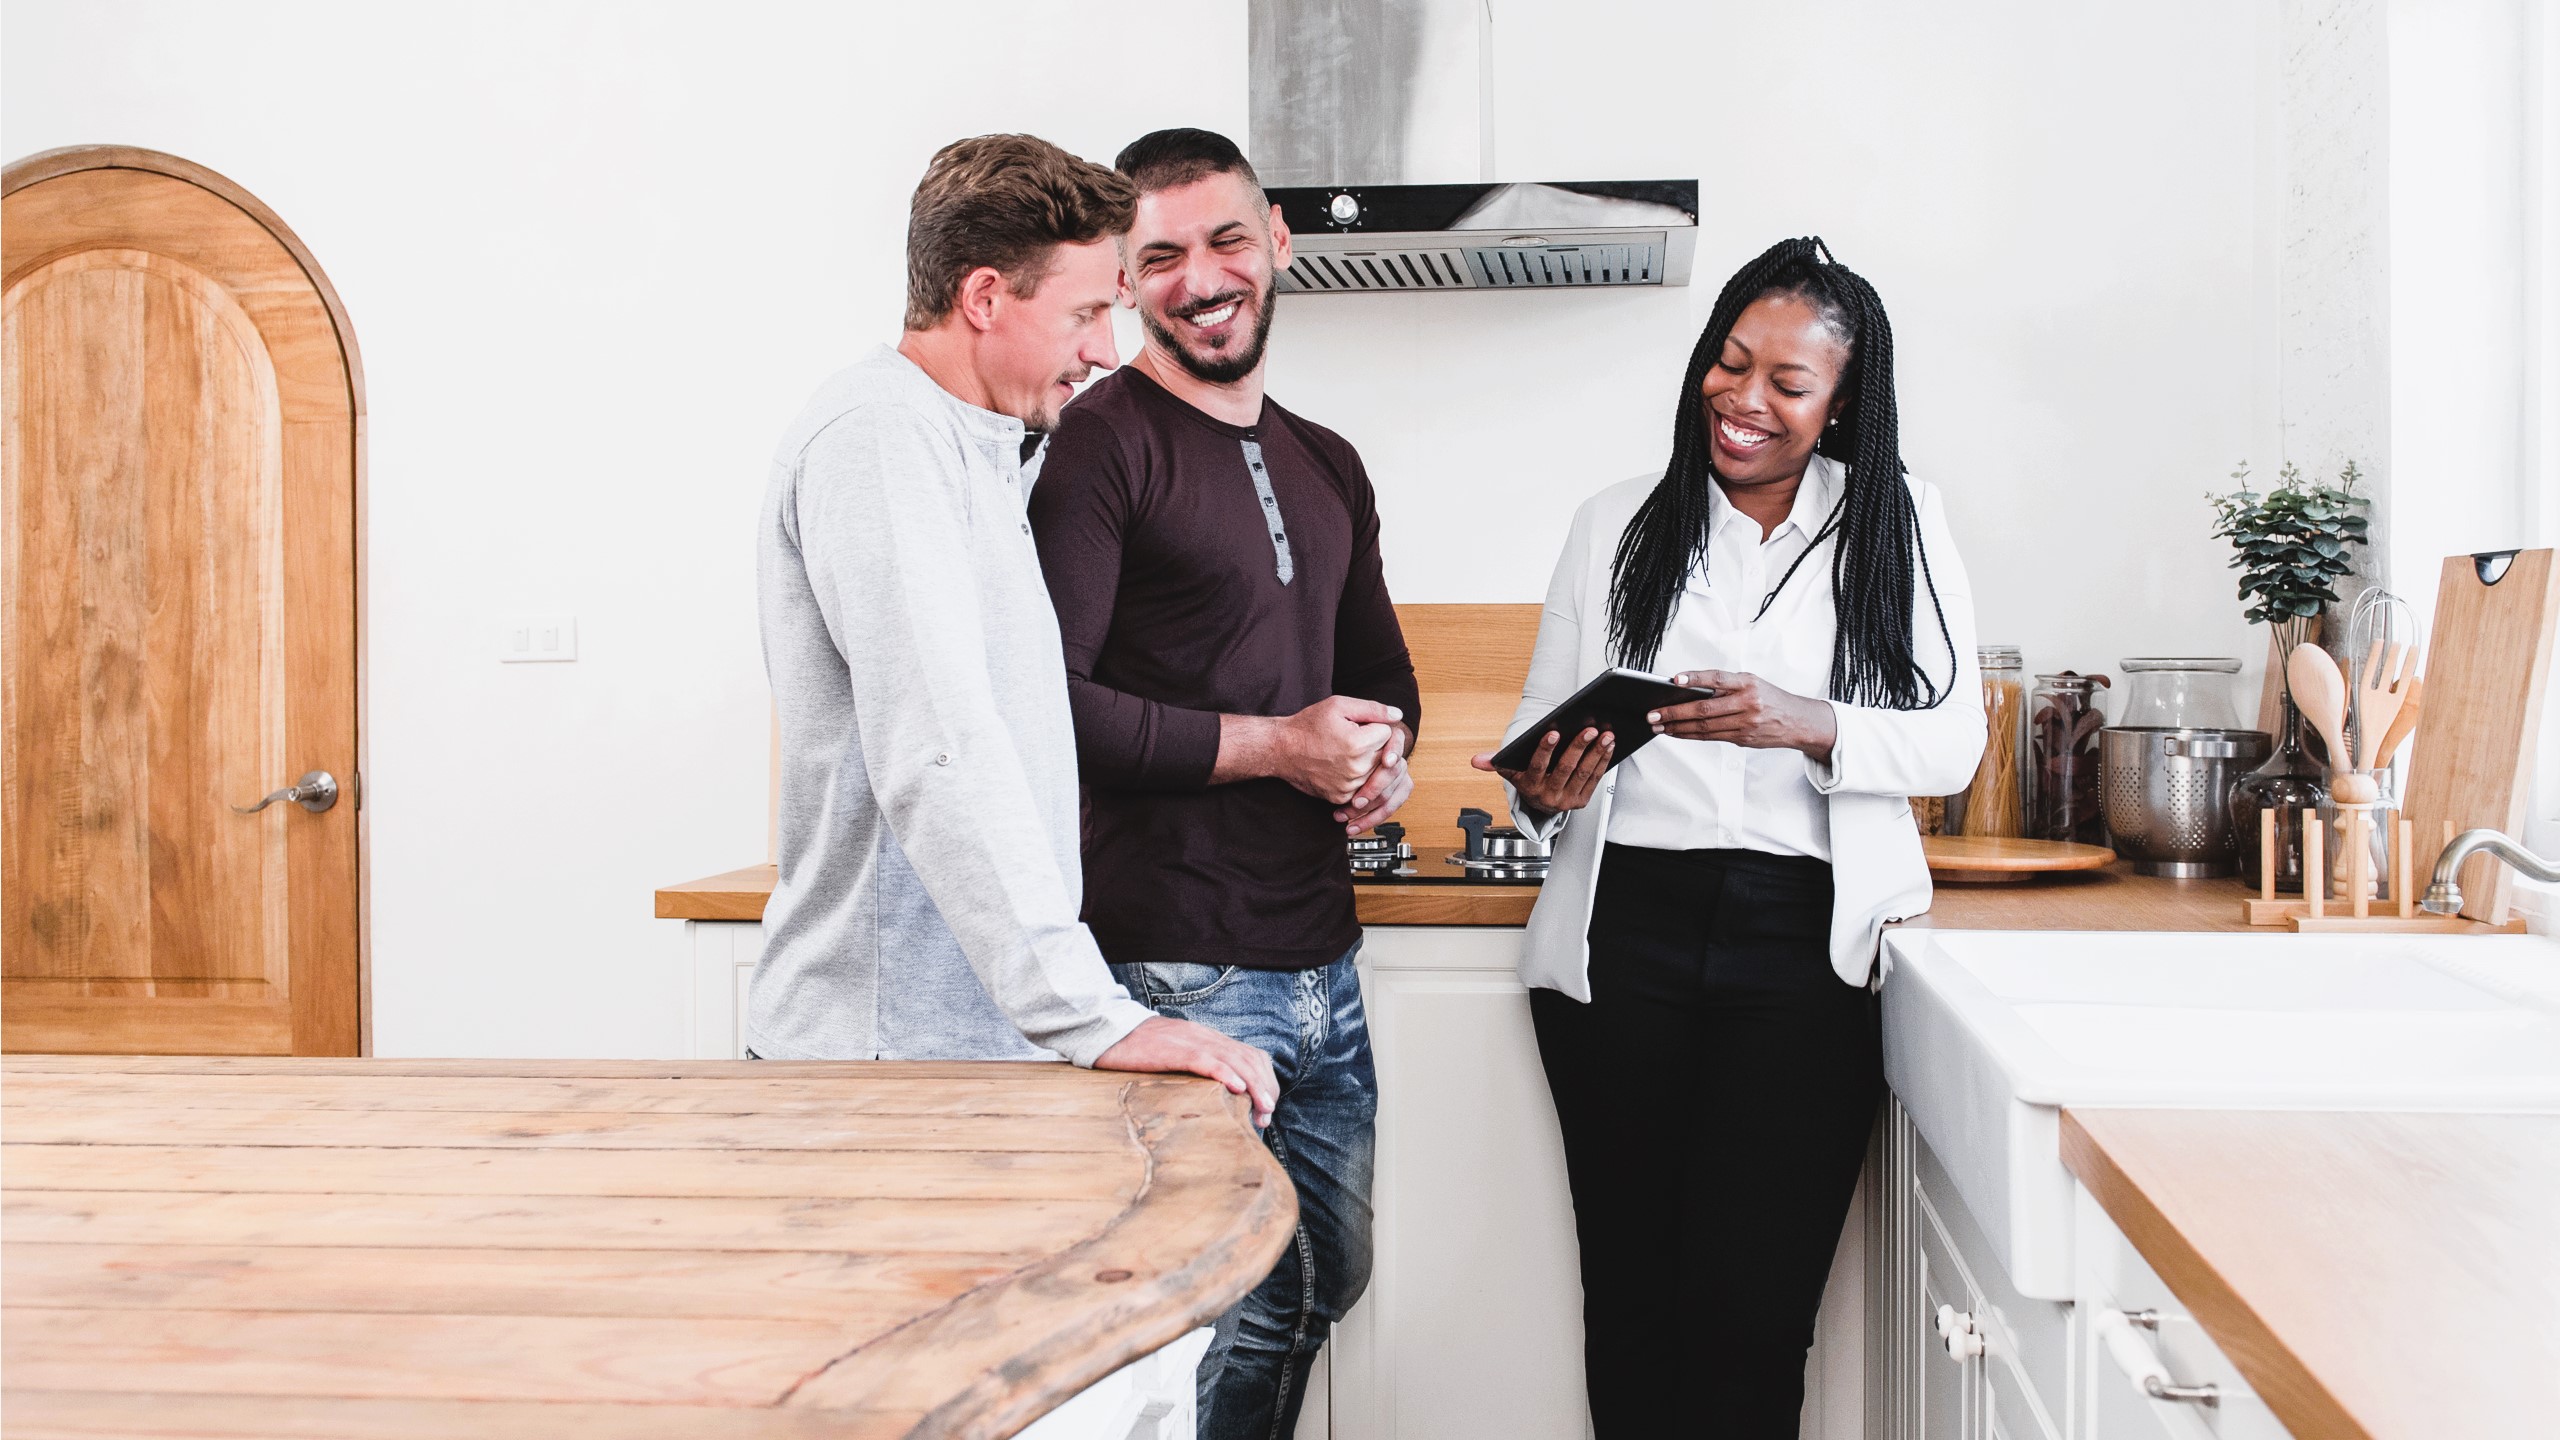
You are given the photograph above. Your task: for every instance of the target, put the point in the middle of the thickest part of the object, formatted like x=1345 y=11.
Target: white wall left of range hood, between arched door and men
x=595 y=255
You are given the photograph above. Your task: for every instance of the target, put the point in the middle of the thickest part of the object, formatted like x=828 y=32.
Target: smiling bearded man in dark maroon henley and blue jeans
x=1243 y=703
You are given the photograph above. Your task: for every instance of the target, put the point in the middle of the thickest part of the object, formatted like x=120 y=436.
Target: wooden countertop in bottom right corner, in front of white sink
x=2374 y=1277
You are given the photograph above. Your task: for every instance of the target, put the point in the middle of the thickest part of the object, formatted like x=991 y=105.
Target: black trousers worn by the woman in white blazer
x=1716 y=1100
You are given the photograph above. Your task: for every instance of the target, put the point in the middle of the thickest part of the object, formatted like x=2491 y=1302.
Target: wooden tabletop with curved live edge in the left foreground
x=608 y=1249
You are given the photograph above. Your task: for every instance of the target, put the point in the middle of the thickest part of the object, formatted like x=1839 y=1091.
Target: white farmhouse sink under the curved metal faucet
x=1990 y=1034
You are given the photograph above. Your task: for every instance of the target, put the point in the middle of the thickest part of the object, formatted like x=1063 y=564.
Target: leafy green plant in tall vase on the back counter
x=2290 y=544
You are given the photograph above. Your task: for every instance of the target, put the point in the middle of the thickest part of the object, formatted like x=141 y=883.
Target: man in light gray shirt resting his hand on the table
x=931 y=885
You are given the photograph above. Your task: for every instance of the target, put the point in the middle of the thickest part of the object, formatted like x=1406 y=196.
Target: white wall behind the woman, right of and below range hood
x=2057 y=204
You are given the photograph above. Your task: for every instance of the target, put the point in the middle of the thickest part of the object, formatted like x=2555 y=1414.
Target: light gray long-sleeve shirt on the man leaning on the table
x=928 y=901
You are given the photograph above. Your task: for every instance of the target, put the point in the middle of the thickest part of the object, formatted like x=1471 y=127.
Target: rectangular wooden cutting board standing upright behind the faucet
x=2487 y=670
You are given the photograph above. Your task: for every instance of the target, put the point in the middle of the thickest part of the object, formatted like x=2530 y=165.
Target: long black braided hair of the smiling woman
x=1878 y=527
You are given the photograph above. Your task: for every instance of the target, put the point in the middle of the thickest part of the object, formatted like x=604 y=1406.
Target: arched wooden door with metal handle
x=178 y=619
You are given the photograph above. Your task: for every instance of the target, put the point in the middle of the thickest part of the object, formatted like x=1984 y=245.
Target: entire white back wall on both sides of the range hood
x=600 y=252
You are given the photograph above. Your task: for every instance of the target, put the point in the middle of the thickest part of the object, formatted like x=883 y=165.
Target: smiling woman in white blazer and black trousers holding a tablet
x=1701 y=952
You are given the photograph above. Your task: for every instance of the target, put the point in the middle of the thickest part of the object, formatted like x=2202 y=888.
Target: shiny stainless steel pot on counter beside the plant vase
x=2170 y=796
